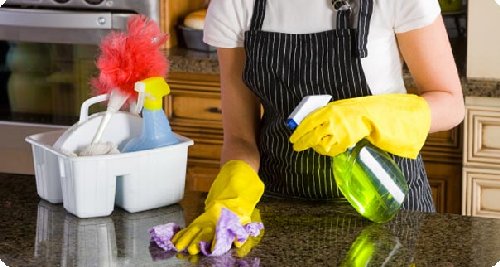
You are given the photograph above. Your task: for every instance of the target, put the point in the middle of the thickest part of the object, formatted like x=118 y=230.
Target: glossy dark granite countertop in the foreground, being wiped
x=37 y=233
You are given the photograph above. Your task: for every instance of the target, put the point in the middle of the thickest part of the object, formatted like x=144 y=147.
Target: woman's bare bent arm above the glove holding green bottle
x=427 y=52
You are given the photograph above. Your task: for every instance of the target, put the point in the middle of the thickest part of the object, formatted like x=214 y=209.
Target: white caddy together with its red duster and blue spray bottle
x=86 y=167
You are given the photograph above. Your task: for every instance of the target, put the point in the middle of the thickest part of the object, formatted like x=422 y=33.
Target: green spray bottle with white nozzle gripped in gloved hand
x=367 y=176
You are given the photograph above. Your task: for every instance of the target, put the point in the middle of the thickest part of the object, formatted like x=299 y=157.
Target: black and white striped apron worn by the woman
x=283 y=68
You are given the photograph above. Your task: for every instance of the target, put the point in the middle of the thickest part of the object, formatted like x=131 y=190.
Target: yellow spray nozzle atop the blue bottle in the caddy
x=154 y=88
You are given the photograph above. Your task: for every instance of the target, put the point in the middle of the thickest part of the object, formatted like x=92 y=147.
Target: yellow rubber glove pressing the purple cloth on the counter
x=237 y=188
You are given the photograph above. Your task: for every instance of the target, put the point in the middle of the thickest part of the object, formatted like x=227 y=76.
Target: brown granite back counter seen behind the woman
x=185 y=60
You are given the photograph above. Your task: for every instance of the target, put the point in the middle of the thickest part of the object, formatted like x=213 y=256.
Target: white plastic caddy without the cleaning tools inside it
x=91 y=186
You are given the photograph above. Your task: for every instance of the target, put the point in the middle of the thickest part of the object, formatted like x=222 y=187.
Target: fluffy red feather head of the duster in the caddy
x=129 y=57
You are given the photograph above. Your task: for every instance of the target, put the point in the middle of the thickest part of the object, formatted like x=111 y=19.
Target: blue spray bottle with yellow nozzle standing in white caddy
x=156 y=130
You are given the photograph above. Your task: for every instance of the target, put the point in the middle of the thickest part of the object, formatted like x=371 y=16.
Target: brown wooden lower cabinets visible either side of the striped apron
x=193 y=107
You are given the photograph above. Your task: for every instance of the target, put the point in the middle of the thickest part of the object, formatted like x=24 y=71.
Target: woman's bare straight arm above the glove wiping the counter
x=240 y=110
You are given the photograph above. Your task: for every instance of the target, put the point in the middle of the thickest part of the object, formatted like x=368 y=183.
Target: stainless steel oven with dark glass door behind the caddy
x=47 y=57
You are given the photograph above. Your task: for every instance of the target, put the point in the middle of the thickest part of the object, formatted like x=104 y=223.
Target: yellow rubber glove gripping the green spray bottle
x=396 y=123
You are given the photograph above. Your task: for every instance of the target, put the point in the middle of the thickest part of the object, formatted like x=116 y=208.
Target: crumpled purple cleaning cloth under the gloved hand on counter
x=227 y=230
